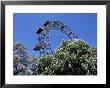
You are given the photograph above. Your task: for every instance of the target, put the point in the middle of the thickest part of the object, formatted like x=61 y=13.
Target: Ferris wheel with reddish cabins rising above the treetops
x=44 y=45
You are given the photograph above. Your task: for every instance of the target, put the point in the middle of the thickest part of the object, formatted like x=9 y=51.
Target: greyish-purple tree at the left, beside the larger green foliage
x=21 y=59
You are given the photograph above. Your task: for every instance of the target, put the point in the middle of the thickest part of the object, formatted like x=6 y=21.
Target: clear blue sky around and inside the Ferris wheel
x=83 y=24
